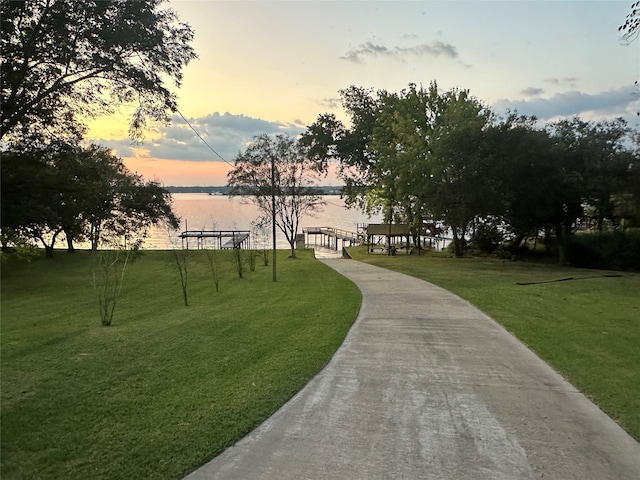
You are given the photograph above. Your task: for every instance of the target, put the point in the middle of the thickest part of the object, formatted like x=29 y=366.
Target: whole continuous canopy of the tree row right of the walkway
x=423 y=156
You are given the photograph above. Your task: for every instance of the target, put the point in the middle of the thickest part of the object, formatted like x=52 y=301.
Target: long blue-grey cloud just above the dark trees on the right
x=622 y=102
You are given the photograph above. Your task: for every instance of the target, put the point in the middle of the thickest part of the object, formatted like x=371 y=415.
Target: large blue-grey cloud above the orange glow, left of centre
x=227 y=135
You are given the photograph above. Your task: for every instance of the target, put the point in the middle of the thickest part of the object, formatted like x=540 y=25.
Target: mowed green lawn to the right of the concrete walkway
x=588 y=328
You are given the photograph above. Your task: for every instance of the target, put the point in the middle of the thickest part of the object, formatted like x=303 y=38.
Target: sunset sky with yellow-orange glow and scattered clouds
x=274 y=66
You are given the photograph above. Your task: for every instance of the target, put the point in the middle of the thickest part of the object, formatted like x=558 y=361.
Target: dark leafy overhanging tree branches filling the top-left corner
x=63 y=61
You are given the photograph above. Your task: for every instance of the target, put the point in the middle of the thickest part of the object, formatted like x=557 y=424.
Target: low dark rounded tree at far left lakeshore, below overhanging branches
x=83 y=193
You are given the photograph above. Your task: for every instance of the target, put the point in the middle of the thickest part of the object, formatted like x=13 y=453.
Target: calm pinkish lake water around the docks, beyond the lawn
x=200 y=211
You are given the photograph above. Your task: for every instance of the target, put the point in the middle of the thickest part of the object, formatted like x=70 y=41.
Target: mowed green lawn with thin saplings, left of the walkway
x=166 y=387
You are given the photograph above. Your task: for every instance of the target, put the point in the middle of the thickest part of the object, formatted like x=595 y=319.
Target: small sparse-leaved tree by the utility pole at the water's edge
x=294 y=178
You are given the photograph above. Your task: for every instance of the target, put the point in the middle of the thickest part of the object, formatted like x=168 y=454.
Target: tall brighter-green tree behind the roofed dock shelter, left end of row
x=401 y=152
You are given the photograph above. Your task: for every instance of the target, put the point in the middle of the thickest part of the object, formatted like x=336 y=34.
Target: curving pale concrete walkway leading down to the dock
x=425 y=386
